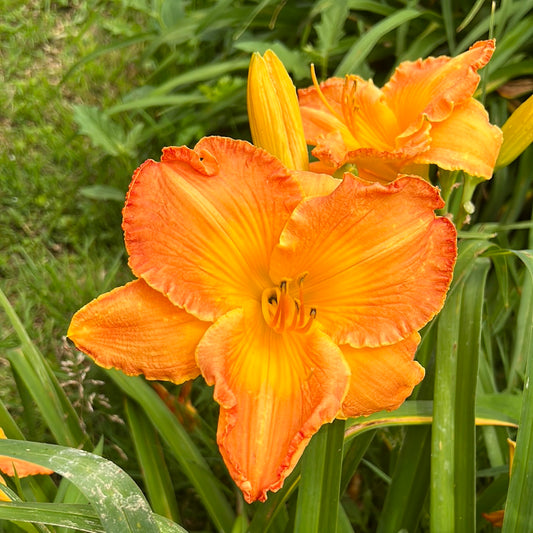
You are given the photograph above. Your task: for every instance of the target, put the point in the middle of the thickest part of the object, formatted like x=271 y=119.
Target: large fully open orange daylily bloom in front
x=298 y=296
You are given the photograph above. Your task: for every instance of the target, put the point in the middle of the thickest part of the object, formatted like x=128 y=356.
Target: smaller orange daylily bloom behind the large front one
x=425 y=114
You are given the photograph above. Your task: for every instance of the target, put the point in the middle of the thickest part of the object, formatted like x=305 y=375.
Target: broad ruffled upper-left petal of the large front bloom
x=200 y=225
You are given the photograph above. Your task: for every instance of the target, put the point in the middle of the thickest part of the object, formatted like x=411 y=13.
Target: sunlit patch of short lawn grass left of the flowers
x=53 y=238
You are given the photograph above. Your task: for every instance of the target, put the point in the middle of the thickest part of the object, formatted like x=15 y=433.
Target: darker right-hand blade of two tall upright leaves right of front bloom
x=467 y=372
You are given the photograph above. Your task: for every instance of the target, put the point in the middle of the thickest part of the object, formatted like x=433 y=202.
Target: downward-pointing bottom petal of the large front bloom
x=275 y=391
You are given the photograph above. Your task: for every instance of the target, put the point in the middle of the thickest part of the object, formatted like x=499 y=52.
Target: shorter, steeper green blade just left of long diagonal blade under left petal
x=151 y=460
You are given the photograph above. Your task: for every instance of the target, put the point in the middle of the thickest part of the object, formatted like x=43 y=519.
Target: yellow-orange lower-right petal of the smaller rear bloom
x=465 y=140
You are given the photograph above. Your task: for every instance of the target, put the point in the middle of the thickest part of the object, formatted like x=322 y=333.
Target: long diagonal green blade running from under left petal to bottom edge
x=180 y=444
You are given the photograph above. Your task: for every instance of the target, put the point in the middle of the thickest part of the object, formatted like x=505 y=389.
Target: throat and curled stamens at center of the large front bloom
x=284 y=313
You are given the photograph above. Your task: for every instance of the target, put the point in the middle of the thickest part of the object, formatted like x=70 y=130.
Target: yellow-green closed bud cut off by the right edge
x=517 y=133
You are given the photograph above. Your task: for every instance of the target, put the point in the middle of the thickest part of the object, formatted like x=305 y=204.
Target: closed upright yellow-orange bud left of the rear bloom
x=274 y=113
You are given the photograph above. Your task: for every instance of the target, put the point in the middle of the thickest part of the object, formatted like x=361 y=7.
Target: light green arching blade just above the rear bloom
x=364 y=45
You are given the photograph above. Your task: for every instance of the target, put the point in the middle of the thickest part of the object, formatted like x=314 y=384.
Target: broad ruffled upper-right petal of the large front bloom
x=378 y=261
